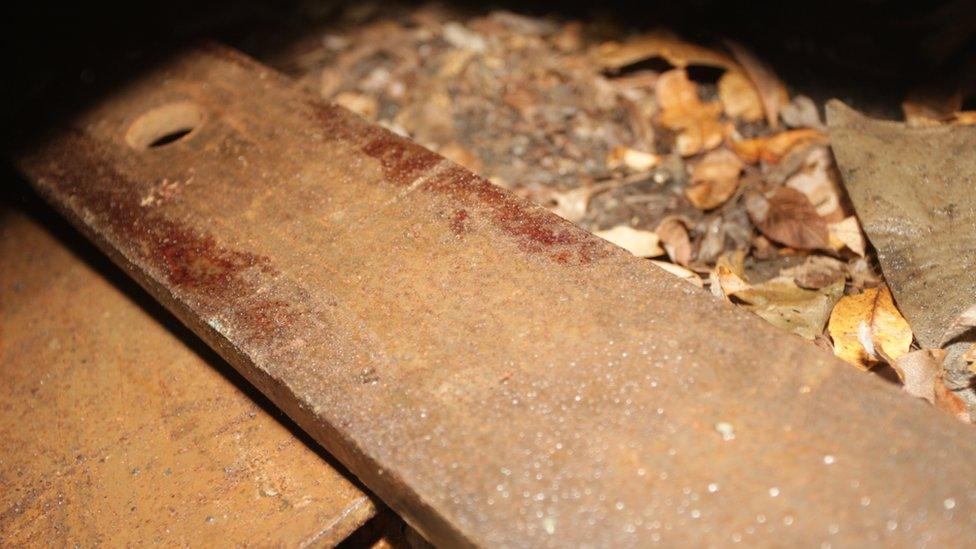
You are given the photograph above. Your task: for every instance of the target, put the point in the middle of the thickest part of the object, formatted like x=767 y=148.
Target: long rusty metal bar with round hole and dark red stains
x=495 y=374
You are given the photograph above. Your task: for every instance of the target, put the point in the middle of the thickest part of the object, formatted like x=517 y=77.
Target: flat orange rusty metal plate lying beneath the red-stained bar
x=117 y=431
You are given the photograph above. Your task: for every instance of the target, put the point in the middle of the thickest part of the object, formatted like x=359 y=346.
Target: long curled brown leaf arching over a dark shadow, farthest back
x=663 y=44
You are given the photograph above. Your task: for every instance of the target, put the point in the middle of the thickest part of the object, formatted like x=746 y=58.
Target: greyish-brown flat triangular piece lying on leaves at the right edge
x=913 y=191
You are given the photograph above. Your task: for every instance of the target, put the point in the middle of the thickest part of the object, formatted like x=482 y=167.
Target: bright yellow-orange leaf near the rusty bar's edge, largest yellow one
x=867 y=328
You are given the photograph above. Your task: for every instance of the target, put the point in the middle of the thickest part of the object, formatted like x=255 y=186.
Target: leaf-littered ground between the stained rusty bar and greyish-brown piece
x=693 y=154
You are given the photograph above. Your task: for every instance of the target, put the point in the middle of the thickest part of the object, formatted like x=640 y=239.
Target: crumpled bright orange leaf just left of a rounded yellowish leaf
x=697 y=123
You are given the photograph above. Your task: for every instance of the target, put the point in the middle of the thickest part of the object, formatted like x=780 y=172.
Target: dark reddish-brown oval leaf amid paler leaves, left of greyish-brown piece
x=788 y=217
